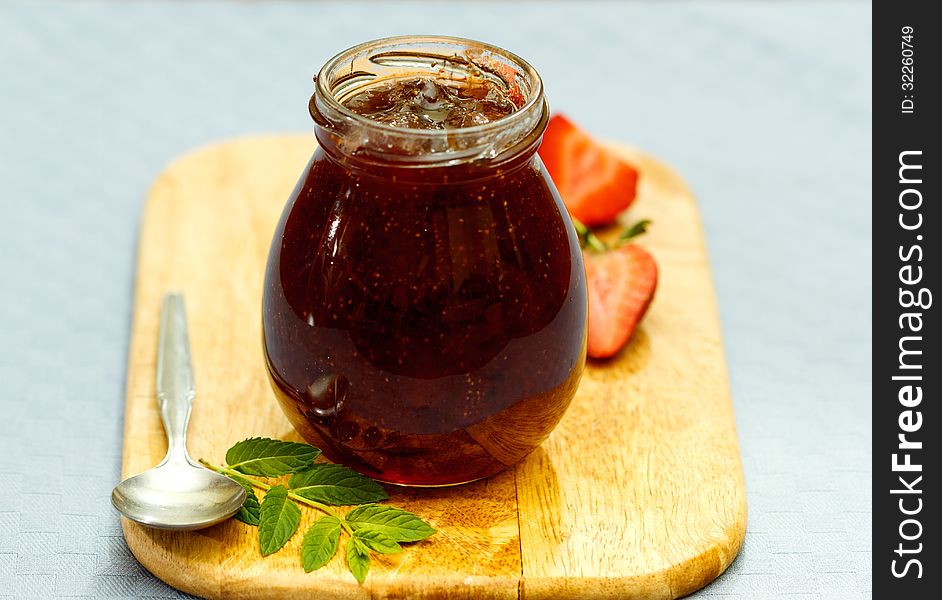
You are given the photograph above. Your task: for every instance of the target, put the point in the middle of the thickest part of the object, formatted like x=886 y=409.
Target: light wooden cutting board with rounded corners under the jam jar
x=637 y=494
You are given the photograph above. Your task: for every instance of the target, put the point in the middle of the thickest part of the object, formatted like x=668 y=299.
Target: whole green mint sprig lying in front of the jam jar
x=369 y=527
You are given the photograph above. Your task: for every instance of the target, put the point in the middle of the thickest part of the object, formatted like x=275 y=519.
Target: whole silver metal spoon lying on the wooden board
x=177 y=493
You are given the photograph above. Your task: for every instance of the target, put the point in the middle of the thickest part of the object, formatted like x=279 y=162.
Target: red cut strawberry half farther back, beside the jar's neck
x=593 y=181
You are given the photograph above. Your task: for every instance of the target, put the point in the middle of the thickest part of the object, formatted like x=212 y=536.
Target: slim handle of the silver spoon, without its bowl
x=175 y=385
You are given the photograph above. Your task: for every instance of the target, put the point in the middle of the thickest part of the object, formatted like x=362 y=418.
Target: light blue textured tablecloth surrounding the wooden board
x=764 y=107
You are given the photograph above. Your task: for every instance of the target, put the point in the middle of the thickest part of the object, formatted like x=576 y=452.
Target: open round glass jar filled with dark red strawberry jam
x=425 y=301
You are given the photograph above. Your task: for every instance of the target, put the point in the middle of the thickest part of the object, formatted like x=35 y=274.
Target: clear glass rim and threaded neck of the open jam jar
x=349 y=133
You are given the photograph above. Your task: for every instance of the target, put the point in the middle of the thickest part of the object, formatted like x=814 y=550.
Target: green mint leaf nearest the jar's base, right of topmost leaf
x=337 y=485
